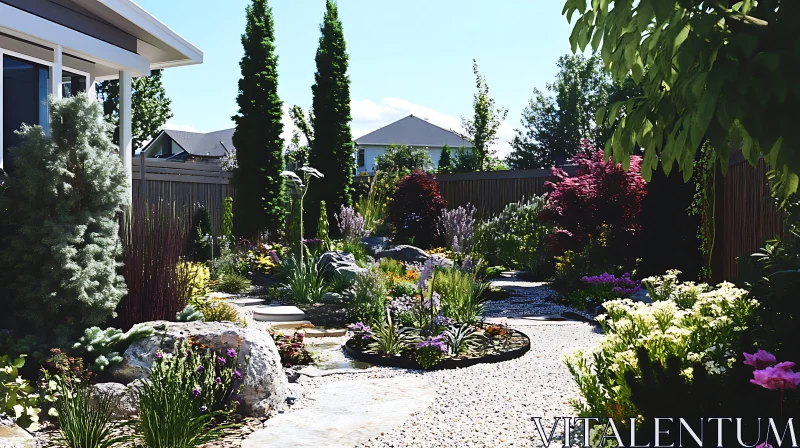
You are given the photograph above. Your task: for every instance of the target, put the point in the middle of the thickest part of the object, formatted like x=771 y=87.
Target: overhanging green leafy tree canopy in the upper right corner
x=722 y=70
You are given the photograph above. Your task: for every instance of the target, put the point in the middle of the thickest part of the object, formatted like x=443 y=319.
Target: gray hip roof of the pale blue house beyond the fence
x=413 y=131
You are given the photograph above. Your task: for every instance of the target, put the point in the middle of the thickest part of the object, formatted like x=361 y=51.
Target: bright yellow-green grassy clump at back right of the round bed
x=461 y=294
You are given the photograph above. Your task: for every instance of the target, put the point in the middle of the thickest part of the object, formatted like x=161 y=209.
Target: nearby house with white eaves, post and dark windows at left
x=61 y=47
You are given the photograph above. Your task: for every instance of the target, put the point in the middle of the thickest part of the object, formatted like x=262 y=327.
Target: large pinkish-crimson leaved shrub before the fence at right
x=597 y=196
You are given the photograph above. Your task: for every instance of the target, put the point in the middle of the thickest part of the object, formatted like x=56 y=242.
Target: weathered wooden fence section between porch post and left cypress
x=185 y=184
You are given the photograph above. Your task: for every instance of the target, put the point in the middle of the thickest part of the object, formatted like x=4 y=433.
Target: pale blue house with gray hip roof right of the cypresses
x=410 y=131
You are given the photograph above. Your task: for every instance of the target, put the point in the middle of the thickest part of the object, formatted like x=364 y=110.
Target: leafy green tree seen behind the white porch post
x=150 y=107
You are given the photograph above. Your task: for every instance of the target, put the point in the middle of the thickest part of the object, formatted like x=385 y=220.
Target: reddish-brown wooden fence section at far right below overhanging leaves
x=746 y=216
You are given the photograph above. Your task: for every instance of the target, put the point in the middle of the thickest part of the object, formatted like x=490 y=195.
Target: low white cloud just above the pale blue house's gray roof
x=369 y=116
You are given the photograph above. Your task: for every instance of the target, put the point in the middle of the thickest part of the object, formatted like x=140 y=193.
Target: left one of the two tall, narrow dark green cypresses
x=260 y=193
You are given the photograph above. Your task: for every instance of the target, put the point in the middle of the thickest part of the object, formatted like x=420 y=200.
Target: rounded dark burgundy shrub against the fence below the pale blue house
x=415 y=210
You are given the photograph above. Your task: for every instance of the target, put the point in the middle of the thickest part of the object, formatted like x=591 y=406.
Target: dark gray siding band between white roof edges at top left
x=72 y=15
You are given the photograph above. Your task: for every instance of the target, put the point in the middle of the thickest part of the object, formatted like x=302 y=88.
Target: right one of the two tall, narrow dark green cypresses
x=332 y=151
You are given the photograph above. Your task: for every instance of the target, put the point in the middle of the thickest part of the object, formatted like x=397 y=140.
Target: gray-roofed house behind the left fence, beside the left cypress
x=193 y=146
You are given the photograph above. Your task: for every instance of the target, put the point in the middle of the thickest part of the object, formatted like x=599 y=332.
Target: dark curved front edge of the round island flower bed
x=518 y=344
